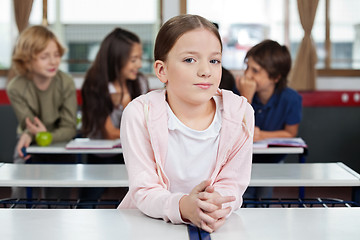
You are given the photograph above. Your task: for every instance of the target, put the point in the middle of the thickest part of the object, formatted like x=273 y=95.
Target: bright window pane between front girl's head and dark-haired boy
x=242 y=24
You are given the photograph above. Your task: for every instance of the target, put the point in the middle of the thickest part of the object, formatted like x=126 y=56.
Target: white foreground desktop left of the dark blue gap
x=62 y=224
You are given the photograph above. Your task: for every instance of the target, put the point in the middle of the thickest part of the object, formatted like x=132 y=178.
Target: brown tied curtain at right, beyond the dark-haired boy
x=303 y=73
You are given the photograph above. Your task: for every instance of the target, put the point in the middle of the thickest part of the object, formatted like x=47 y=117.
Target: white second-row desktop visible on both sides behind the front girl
x=115 y=175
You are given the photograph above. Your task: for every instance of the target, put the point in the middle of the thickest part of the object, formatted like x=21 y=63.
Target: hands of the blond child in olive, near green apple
x=32 y=127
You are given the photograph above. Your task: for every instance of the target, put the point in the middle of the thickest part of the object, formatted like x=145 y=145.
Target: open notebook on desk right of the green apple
x=87 y=143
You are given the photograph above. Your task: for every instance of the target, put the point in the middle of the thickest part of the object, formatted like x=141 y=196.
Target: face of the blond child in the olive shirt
x=46 y=63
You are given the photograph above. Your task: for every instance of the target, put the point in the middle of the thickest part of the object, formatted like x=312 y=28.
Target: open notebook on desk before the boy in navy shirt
x=280 y=142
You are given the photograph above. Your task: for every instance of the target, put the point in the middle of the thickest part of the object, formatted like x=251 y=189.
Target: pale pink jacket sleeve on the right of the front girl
x=235 y=174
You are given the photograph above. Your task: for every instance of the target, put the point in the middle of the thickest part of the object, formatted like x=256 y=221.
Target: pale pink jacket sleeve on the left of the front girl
x=147 y=189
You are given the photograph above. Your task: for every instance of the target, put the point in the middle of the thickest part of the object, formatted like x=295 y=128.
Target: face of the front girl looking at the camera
x=192 y=70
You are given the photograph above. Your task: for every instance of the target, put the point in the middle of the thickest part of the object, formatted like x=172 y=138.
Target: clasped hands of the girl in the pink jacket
x=203 y=207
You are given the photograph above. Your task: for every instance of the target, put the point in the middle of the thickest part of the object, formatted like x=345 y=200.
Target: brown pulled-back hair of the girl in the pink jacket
x=174 y=28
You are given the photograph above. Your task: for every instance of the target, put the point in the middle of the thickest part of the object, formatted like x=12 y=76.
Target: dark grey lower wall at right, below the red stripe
x=332 y=135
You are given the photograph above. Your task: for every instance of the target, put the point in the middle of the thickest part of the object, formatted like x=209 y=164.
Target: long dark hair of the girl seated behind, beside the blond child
x=111 y=58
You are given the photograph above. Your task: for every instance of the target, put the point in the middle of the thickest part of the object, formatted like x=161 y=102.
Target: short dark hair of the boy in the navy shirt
x=274 y=58
